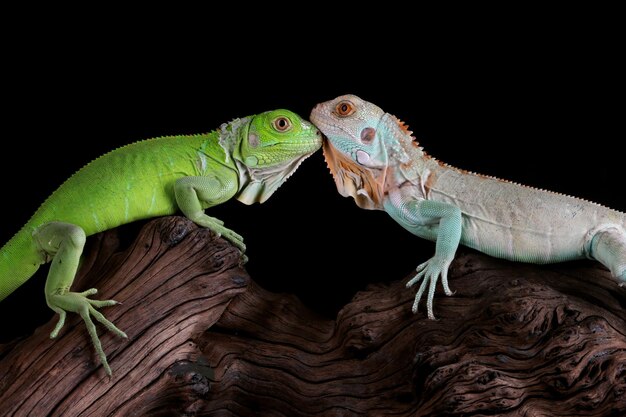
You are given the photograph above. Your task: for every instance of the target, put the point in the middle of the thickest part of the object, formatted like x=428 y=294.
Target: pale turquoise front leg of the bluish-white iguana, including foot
x=433 y=220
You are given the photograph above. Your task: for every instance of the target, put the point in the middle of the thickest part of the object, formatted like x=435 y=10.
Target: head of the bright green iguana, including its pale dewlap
x=271 y=147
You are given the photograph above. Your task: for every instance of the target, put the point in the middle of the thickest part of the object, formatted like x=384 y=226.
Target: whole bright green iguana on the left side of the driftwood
x=247 y=159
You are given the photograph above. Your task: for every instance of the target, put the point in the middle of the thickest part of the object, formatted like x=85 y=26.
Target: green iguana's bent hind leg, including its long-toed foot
x=64 y=243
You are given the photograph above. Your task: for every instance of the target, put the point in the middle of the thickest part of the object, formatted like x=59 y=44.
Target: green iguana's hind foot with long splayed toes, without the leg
x=79 y=303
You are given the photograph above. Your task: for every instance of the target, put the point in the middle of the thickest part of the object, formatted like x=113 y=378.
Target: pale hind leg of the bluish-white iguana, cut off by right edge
x=608 y=246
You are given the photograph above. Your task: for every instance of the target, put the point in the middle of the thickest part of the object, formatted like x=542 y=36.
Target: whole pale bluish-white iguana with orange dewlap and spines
x=375 y=160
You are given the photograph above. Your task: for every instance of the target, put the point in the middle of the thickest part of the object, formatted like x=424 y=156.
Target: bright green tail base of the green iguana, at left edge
x=19 y=260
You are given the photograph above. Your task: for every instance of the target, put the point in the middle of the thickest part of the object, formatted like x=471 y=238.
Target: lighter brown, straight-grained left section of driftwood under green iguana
x=174 y=280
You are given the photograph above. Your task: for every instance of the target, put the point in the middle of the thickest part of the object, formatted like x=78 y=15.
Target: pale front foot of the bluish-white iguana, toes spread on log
x=429 y=272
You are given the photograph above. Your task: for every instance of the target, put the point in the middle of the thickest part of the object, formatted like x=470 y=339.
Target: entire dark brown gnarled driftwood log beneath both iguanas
x=205 y=340
